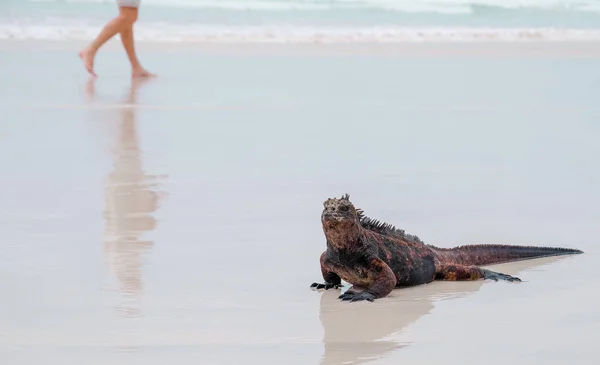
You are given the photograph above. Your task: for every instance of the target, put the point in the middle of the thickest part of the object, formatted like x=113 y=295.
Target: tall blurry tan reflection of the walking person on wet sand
x=131 y=198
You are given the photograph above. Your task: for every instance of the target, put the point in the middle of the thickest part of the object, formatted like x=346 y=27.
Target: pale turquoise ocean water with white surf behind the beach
x=311 y=20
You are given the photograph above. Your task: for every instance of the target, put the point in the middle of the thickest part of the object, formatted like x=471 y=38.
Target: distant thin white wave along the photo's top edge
x=405 y=6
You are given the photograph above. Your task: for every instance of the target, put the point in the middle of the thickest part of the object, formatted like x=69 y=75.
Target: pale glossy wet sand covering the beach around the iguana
x=177 y=220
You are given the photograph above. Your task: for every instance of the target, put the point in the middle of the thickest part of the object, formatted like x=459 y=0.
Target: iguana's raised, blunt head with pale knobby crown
x=340 y=221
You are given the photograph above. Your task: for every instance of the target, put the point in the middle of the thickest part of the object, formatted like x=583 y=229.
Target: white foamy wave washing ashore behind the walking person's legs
x=161 y=32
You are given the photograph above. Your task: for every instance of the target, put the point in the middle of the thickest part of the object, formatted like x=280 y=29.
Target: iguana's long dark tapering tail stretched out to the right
x=494 y=254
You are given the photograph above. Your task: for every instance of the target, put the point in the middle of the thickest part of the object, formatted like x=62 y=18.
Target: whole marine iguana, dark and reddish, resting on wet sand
x=380 y=257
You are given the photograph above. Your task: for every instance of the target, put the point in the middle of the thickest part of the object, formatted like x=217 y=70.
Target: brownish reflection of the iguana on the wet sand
x=355 y=333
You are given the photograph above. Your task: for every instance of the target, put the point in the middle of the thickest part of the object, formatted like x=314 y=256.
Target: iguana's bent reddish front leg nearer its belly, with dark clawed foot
x=381 y=281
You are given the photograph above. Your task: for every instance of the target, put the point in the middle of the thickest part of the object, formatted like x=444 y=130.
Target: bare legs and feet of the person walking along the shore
x=123 y=24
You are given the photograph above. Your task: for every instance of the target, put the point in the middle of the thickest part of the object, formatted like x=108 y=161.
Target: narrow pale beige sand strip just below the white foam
x=569 y=49
